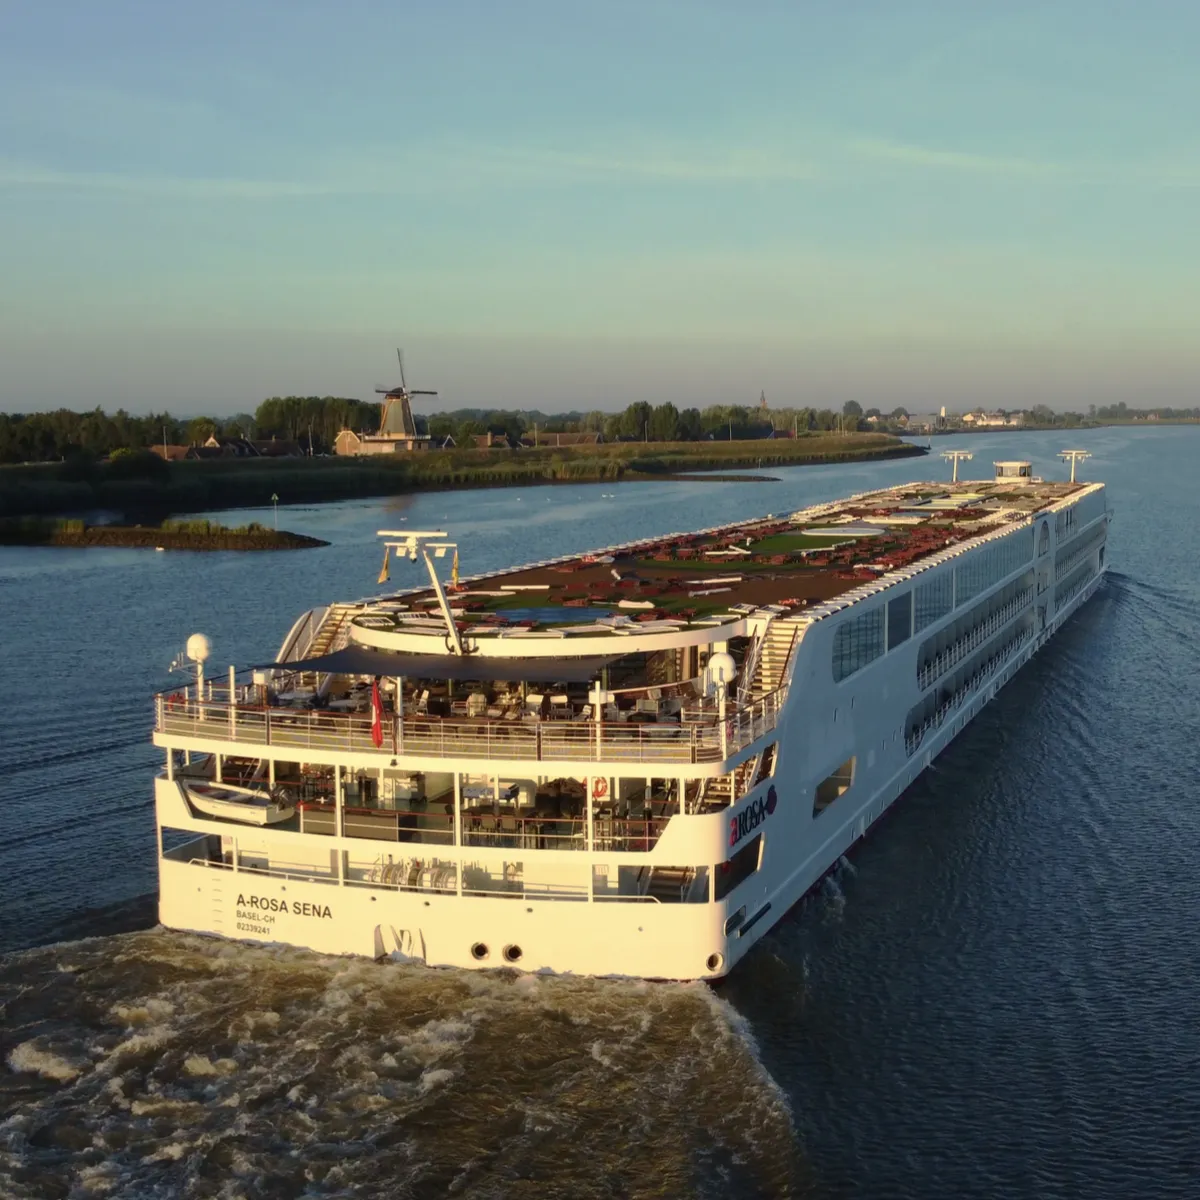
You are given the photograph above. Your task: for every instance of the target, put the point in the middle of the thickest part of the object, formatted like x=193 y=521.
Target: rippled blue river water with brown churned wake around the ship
x=994 y=997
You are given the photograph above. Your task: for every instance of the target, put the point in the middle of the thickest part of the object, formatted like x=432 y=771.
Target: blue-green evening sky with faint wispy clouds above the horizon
x=561 y=205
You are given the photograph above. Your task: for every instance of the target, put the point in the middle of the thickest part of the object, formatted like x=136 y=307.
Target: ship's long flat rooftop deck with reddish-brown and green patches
x=715 y=577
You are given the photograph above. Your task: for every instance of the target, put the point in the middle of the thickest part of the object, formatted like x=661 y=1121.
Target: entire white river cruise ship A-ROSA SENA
x=628 y=763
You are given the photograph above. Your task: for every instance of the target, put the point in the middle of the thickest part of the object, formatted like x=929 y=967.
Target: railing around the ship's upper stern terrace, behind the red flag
x=688 y=742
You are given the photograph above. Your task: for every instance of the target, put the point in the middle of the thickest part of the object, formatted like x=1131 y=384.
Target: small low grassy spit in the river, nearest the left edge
x=170 y=536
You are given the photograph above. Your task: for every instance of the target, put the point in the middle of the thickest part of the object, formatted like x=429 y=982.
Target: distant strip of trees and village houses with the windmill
x=301 y=427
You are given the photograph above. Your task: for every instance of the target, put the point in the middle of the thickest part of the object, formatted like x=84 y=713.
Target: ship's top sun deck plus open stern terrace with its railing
x=595 y=658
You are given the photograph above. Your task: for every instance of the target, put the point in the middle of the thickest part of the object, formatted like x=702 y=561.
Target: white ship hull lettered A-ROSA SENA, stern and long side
x=842 y=753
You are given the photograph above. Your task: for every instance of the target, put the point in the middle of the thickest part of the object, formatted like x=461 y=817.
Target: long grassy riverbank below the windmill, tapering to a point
x=143 y=485
